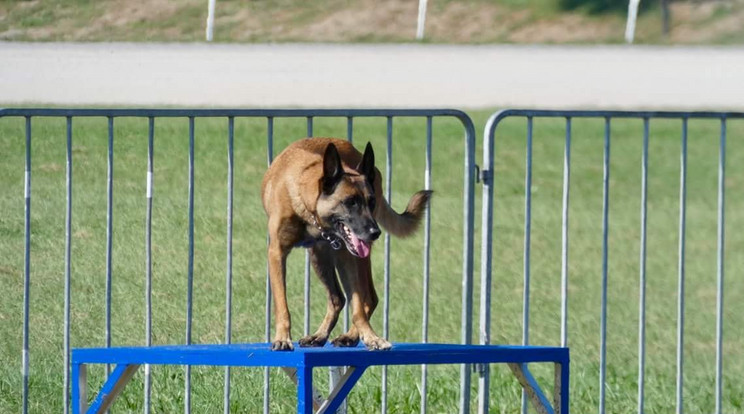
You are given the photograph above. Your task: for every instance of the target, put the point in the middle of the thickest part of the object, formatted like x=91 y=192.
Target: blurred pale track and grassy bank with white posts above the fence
x=659 y=54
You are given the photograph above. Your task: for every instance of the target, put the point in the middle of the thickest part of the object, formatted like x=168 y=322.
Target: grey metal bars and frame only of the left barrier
x=230 y=115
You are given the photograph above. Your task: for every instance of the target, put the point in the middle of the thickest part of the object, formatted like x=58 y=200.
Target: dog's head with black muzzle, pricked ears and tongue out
x=347 y=200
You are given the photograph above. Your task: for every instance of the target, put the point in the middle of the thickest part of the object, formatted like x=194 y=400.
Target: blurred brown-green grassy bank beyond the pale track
x=665 y=22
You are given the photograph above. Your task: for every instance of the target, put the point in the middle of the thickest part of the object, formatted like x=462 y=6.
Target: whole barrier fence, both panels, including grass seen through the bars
x=103 y=265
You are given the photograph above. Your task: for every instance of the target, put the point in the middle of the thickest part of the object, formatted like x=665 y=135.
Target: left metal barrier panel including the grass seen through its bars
x=189 y=257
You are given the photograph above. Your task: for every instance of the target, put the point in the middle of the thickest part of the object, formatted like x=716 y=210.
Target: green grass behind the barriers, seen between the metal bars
x=170 y=252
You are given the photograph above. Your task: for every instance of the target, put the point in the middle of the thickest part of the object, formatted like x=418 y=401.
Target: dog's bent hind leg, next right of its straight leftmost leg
x=322 y=260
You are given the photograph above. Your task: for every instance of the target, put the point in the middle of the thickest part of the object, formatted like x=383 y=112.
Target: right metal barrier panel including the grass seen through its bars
x=648 y=238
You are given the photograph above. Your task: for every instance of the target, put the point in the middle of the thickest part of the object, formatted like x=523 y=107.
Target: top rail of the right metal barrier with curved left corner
x=497 y=117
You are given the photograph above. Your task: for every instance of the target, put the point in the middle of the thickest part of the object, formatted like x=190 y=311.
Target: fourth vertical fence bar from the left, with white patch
x=148 y=257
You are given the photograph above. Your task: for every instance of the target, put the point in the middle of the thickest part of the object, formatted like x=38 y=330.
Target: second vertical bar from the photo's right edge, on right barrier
x=681 y=266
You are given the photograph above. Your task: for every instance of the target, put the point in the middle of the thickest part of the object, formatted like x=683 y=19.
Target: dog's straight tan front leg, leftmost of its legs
x=277 y=275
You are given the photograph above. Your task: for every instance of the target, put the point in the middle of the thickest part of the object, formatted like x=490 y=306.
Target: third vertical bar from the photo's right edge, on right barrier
x=642 y=281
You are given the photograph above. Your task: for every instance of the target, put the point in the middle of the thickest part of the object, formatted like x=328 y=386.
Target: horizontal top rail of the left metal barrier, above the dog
x=223 y=112
